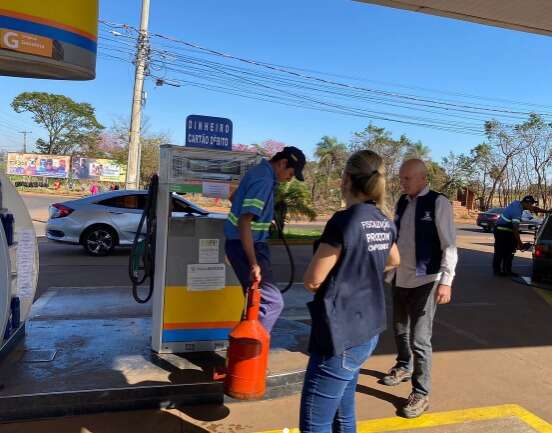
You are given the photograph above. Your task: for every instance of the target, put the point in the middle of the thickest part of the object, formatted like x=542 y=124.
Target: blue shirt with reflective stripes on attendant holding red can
x=255 y=195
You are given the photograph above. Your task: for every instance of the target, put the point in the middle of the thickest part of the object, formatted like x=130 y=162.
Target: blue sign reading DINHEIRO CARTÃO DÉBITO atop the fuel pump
x=209 y=132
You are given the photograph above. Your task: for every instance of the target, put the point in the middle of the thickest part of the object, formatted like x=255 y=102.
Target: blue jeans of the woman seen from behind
x=328 y=398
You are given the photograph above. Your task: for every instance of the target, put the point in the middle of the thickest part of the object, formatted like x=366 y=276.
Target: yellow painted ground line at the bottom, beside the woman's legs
x=450 y=418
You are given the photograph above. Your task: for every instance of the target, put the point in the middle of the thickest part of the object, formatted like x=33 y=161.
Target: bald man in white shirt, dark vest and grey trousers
x=427 y=246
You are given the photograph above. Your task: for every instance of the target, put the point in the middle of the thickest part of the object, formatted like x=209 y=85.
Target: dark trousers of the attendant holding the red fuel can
x=272 y=302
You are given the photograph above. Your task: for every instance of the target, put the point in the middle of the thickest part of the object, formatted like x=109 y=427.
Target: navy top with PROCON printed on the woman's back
x=349 y=307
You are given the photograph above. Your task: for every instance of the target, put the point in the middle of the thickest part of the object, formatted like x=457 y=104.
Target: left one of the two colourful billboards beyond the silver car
x=32 y=164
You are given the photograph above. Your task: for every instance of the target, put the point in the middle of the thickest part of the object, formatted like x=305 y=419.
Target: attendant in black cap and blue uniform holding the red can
x=248 y=223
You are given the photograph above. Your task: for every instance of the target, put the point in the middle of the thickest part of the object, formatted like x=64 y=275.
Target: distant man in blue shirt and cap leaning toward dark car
x=506 y=234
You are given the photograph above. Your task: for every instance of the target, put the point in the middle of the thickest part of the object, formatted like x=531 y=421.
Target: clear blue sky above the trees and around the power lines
x=388 y=48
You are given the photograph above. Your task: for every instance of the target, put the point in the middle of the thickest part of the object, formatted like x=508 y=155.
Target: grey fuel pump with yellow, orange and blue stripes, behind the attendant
x=197 y=299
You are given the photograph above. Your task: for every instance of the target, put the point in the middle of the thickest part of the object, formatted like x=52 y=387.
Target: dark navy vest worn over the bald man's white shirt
x=428 y=245
